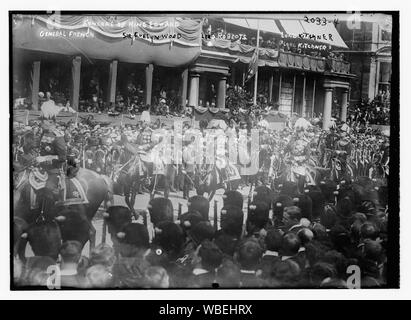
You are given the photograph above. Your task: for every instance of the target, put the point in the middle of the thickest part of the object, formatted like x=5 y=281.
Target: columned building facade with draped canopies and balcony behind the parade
x=195 y=59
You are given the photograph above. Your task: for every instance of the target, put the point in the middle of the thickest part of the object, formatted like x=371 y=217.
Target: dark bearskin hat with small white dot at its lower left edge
x=170 y=237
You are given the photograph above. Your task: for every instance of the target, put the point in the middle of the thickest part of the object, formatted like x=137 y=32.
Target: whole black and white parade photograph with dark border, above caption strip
x=204 y=150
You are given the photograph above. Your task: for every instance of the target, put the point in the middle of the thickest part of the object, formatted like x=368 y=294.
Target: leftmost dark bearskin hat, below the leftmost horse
x=45 y=239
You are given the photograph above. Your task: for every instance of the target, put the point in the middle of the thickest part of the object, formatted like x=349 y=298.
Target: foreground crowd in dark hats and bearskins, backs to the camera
x=311 y=246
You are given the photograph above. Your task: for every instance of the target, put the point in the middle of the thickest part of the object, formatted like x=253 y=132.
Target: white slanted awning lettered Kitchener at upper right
x=327 y=34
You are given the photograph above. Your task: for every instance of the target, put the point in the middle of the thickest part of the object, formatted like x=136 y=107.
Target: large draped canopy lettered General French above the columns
x=163 y=41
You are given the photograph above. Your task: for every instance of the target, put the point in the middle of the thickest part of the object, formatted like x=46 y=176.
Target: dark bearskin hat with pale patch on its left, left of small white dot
x=133 y=239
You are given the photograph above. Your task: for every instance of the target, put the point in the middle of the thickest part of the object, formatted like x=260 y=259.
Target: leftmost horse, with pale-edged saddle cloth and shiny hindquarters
x=28 y=212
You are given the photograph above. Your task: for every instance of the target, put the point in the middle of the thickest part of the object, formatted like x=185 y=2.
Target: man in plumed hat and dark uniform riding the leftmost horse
x=53 y=155
